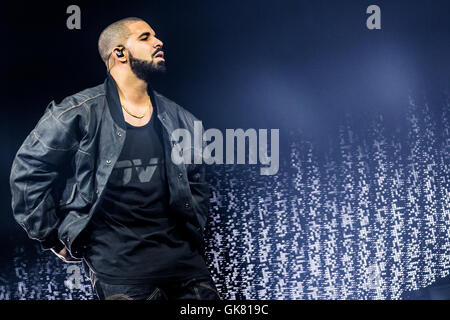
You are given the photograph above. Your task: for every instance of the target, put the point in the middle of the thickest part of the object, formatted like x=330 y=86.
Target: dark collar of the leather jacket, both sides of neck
x=112 y=96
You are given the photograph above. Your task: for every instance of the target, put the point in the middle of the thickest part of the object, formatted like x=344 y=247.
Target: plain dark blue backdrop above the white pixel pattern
x=299 y=65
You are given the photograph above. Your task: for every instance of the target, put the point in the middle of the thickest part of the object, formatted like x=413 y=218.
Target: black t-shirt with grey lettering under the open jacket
x=133 y=237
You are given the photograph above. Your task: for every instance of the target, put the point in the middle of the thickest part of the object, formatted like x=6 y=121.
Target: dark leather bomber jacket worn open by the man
x=59 y=173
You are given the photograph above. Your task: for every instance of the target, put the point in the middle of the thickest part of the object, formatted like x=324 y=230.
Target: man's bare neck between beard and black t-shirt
x=131 y=89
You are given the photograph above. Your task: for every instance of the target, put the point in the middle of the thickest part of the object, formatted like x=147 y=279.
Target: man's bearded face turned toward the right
x=145 y=51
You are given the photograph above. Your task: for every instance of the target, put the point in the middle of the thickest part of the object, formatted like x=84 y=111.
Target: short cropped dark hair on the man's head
x=113 y=35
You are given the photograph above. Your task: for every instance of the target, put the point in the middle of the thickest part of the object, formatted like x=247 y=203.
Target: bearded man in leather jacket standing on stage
x=94 y=180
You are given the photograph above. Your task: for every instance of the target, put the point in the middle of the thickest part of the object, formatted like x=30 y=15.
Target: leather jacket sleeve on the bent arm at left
x=40 y=160
